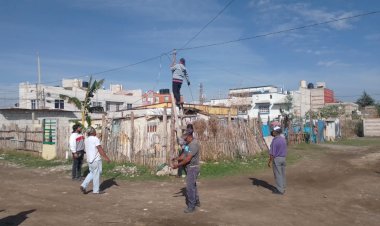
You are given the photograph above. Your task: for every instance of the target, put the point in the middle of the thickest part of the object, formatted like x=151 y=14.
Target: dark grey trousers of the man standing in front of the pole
x=191 y=186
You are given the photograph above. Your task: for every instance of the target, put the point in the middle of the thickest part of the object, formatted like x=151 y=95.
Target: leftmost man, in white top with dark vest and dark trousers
x=76 y=143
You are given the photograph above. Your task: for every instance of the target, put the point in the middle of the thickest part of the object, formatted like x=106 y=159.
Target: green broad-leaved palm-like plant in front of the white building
x=85 y=105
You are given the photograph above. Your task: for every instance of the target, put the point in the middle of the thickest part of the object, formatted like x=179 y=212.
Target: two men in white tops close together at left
x=79 y=145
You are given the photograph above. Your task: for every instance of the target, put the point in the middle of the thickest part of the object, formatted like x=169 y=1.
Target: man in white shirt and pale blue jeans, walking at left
x=94 y=153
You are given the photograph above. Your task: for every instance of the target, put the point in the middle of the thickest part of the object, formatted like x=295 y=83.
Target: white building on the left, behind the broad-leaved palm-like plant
x=32 y=96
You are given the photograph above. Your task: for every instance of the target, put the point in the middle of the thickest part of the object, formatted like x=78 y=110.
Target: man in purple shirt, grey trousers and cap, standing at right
x=277 y=154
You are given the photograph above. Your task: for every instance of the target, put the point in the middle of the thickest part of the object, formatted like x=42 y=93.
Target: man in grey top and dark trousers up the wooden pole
x=179 y=74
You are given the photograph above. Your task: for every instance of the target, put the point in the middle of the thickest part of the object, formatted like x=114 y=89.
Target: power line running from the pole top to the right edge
x=279 y=32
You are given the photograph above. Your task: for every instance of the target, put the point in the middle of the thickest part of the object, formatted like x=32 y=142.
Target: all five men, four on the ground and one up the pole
x=188 y=159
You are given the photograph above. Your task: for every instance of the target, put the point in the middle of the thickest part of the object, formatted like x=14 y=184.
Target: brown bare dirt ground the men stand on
x=339 y=185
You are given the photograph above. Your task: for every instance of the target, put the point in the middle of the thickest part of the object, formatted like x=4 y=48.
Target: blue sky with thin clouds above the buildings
x=83 y=37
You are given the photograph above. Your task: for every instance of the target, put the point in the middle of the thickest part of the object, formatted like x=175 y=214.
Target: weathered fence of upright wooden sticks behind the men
x=146 y=141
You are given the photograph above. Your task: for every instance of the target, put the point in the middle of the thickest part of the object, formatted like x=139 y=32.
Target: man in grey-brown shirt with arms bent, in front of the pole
x=191 y=161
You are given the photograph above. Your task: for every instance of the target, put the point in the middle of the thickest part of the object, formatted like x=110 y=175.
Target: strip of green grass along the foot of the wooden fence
x=132 y=172
